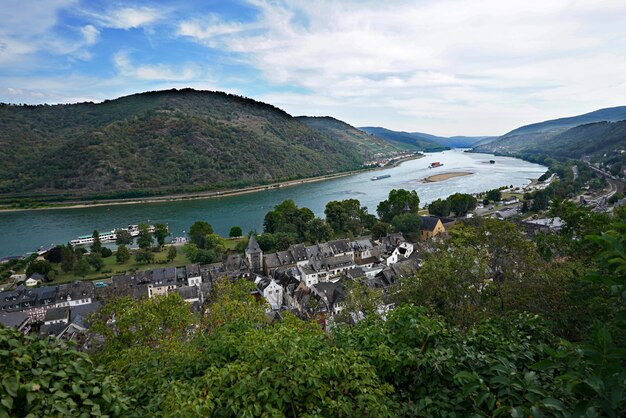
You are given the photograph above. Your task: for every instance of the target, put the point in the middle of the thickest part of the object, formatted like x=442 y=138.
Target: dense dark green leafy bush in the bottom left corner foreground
x=41 y=377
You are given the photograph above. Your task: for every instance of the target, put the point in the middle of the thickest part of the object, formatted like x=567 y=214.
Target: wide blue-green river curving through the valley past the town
x=25 y=231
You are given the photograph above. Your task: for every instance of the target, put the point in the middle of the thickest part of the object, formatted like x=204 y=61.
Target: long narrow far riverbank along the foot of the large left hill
x=203 y=195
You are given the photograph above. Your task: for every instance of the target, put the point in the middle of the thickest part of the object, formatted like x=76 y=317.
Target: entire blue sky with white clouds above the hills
x=445 y=67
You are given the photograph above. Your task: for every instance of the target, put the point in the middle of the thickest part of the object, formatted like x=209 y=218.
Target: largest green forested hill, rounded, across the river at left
x=160 y=142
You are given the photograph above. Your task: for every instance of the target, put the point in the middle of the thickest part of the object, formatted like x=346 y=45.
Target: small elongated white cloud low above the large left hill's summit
x=159 y=72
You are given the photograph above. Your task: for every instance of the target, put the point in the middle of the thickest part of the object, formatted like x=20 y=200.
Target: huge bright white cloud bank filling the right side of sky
x=450 y=67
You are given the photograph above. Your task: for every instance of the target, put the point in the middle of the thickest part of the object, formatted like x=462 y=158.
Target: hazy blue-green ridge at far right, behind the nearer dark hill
x=538 y=135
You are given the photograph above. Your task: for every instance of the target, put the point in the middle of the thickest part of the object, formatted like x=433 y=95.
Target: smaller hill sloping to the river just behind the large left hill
x=368 y=145
